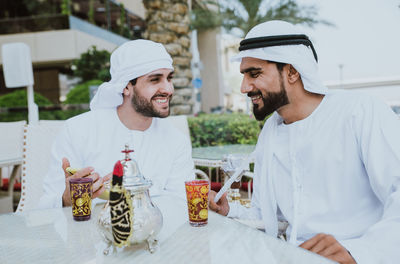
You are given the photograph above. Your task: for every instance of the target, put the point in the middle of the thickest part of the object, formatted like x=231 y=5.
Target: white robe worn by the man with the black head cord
x=335 y=172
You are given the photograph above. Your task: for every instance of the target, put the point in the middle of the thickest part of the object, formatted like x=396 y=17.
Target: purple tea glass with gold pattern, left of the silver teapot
x=81 y=198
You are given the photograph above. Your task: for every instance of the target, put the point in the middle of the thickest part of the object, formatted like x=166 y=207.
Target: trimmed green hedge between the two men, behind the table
x=223 y=129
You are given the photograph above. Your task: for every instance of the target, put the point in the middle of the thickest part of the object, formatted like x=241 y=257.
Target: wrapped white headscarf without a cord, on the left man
x=129 y=61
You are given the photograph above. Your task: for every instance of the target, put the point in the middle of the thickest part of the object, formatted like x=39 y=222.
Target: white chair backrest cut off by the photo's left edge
x=11 y=139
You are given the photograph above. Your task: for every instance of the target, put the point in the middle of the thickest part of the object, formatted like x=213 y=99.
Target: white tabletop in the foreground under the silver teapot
x=52 y=236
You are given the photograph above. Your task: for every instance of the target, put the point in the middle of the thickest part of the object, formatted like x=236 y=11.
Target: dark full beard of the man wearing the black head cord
x=271 y=102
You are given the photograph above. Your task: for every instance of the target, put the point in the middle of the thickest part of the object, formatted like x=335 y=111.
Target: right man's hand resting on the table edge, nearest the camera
x=327 y=246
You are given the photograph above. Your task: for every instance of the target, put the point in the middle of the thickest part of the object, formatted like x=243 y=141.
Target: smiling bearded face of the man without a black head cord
x=152 y=93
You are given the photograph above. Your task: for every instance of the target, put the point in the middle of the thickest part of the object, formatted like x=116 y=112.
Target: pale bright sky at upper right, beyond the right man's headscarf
x=365 y=39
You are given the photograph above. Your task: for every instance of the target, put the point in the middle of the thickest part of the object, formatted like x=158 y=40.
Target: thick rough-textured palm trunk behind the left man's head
x=168 y=23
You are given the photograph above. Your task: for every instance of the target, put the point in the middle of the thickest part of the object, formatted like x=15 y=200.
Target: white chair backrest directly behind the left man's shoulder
x=38 y=140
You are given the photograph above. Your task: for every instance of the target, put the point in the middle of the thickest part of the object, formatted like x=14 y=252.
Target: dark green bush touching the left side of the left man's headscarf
x=93 y=65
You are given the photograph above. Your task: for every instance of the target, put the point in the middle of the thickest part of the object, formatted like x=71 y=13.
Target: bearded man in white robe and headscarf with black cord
x=326 y=161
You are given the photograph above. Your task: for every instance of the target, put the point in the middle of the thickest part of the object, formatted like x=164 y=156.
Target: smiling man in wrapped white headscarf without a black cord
x=129 y=109
